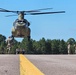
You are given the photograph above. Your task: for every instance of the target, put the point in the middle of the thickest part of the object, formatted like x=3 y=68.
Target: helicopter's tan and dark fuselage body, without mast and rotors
x=21 y=28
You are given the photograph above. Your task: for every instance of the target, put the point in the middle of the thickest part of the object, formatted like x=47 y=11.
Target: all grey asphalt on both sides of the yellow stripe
x=48 y=64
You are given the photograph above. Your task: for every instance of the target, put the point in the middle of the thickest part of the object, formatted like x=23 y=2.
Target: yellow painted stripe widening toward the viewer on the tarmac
x=27 y=68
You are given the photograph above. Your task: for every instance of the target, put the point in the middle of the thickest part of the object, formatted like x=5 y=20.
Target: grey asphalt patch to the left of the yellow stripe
x=9 y=65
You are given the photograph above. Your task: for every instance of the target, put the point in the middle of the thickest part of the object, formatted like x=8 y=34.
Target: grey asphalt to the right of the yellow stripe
x=54 y=64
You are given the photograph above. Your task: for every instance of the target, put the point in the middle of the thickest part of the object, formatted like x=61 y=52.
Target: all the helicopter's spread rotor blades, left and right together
x=31 y=12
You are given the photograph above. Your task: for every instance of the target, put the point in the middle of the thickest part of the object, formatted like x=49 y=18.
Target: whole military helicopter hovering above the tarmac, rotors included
x=21 y=25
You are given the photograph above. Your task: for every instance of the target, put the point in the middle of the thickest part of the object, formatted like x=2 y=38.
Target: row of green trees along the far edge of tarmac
x=43 y=46
